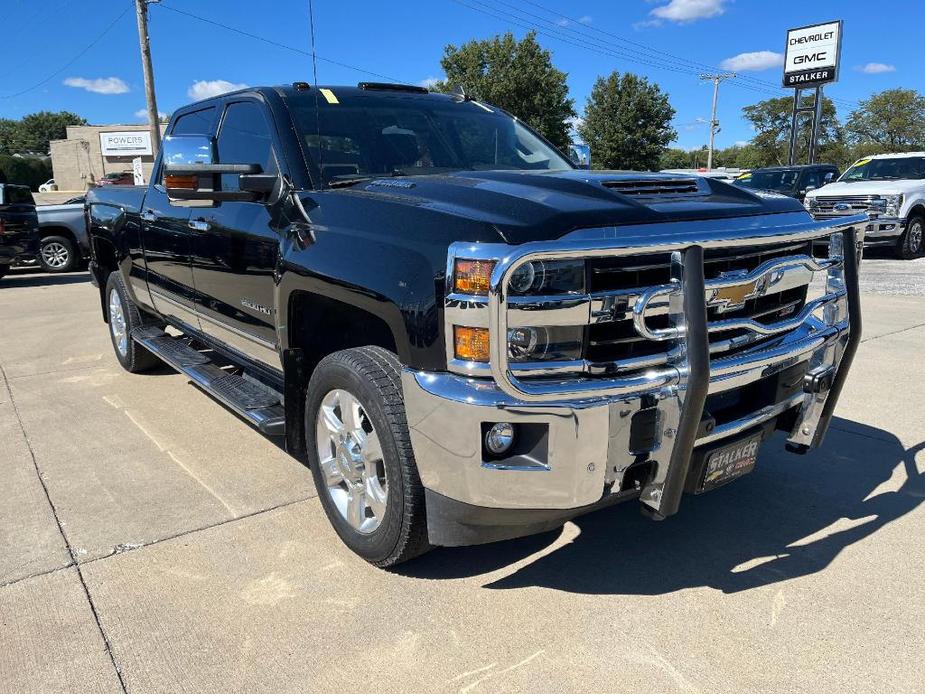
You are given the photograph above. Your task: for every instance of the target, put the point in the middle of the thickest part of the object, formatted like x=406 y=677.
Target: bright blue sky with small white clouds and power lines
x=46 y=56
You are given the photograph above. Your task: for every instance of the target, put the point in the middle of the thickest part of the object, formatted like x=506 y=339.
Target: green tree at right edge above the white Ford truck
x=893 y=119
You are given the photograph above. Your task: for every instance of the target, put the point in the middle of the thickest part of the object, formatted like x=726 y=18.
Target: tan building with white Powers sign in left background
x=91 y=151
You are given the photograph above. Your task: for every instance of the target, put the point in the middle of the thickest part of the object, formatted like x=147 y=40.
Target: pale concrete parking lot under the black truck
x=151 y=542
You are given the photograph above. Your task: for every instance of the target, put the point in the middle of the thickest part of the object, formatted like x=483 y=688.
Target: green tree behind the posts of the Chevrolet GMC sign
x=771 y=120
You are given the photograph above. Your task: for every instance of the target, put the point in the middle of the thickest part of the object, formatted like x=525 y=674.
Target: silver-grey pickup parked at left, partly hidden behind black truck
x=64 y=242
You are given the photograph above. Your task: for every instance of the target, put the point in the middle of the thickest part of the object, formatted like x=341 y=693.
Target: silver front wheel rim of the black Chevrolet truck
x=350 y=456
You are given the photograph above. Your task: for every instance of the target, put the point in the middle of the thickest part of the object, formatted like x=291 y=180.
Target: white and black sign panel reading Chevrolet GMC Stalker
x=812 y=55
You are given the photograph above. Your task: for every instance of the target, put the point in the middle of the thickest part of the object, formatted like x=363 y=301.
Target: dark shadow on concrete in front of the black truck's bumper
x=790 y=518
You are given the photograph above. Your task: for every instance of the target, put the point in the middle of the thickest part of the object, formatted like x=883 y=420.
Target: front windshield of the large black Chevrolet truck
x=394 y=135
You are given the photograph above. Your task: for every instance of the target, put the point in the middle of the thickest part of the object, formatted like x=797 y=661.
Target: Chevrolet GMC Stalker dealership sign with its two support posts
x=811 y=59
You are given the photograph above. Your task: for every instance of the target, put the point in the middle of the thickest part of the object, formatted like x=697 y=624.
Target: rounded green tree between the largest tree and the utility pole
x=627 y=123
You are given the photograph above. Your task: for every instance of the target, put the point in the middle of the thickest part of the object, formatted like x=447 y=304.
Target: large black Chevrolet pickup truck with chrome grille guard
x=467 y=338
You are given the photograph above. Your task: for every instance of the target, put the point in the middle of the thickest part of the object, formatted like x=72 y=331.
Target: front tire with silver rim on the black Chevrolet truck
x=361 y=457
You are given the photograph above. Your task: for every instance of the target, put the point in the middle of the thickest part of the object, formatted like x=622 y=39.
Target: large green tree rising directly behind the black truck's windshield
x=517 y=76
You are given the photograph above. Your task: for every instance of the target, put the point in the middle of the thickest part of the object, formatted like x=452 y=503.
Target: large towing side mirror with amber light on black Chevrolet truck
x=190 y=172
